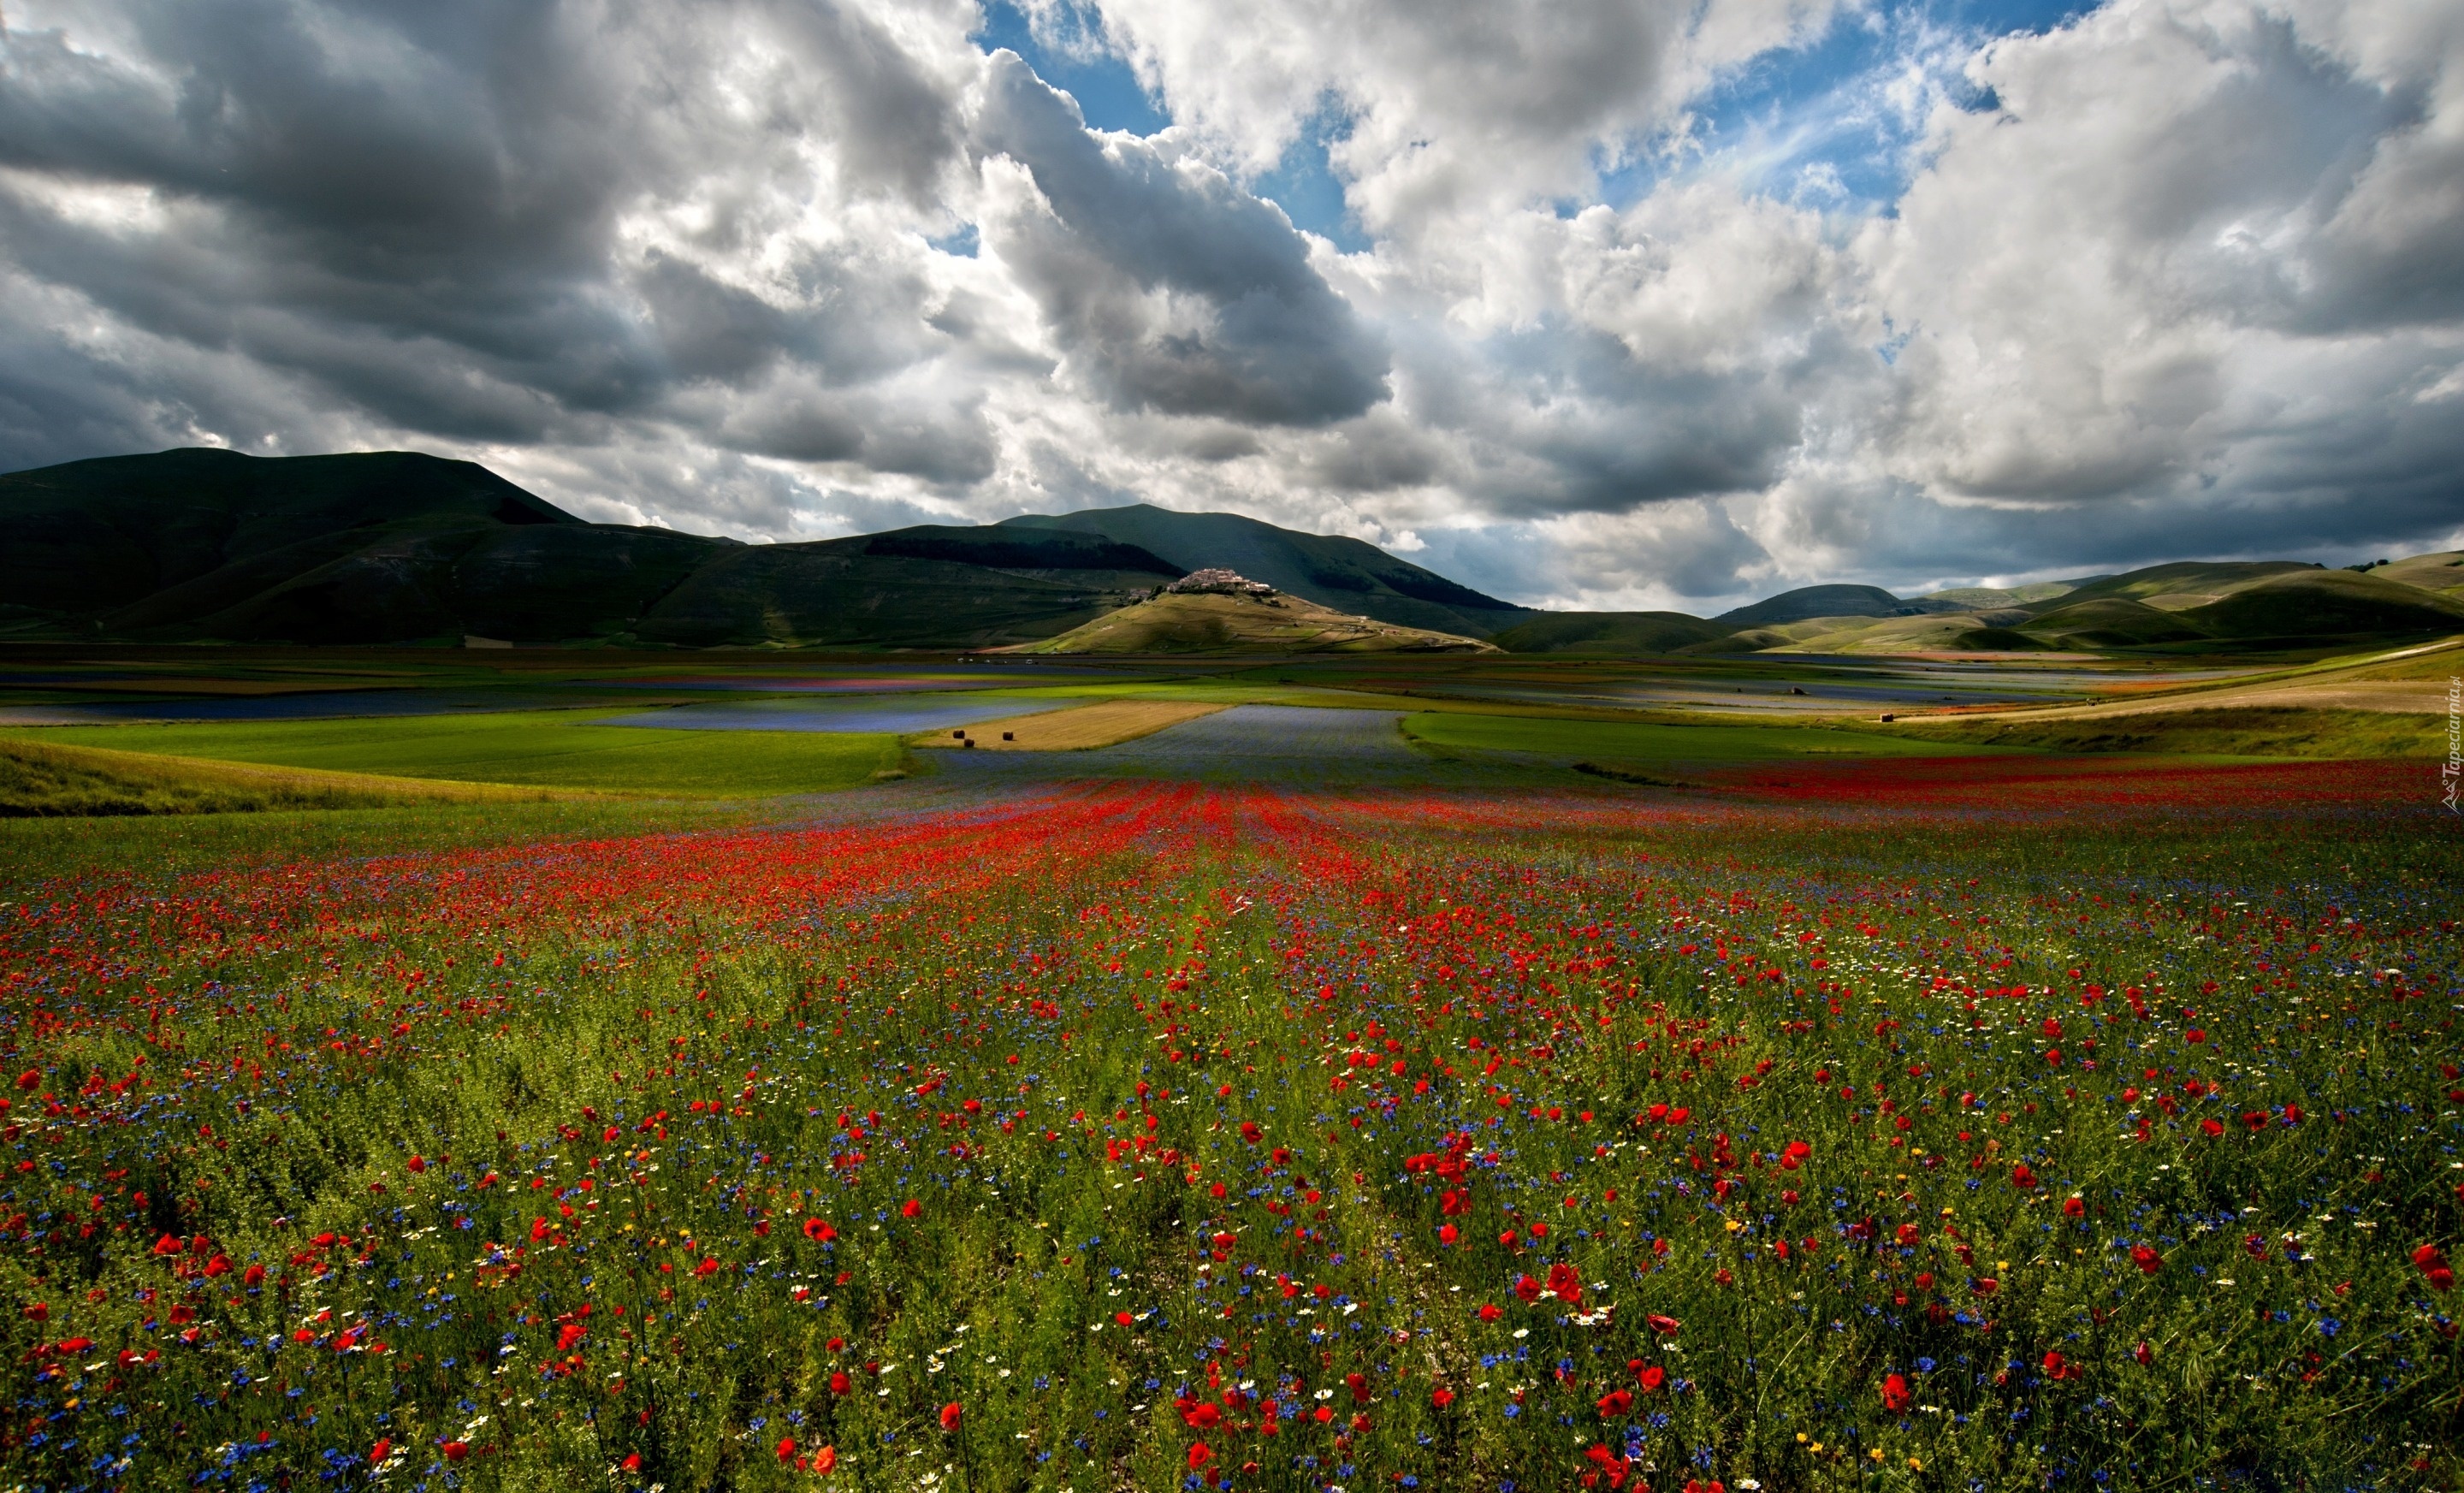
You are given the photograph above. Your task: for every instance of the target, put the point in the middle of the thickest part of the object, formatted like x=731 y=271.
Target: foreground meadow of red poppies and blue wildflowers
x=1948 y=1125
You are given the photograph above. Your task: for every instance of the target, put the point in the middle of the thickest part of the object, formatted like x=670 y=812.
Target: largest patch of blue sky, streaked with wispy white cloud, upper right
x=1834 y=124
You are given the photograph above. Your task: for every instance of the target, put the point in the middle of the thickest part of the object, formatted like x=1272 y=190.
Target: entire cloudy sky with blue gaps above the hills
x=1583 y=302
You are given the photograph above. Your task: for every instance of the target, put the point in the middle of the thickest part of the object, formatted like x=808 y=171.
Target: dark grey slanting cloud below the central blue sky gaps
x=1246 y=331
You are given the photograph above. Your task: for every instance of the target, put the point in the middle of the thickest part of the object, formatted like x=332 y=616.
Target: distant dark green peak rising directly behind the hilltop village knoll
x=1329 y=570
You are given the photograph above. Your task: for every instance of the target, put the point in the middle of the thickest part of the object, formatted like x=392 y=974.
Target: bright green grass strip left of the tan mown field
x=548 y=748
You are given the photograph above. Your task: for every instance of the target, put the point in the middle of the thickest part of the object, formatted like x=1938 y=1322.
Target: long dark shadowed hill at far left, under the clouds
x=395 y=548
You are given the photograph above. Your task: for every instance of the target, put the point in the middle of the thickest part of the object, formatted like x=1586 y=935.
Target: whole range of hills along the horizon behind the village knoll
x=206 y=546
